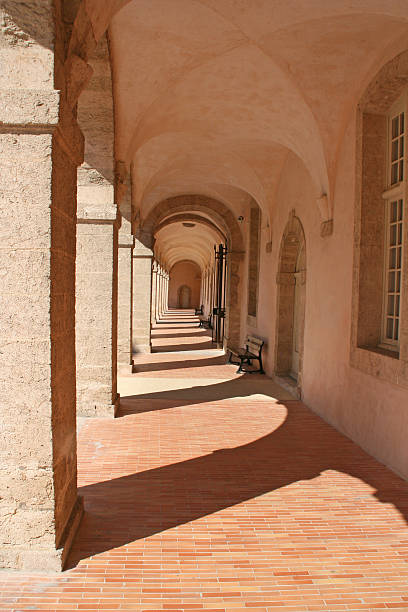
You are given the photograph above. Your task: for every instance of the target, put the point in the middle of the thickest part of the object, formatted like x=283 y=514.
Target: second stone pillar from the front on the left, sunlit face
x=96 y=309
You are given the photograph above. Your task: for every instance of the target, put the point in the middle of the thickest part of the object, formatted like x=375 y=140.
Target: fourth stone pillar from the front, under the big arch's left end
x=142 y=295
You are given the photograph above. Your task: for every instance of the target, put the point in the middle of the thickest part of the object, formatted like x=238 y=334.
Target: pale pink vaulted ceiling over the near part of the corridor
x=211 y=96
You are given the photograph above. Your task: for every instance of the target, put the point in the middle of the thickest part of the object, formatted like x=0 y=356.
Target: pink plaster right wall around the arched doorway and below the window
x=371 y=411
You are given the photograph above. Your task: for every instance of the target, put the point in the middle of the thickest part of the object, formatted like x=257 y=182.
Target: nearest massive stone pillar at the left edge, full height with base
x=40 y=149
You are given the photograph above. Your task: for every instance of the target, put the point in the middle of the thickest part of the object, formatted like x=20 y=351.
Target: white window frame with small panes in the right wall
x=394 y=193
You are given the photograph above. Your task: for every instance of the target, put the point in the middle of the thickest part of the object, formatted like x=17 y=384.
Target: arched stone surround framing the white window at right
x=366 y=354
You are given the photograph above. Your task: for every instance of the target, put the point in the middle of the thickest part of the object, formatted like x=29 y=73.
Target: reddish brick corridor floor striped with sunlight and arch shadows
x=213 y=491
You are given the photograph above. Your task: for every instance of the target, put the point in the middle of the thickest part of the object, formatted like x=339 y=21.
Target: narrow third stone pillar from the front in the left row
x=125 y=281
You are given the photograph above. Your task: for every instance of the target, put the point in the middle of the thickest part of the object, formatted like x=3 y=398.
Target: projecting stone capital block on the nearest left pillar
x=29 y=108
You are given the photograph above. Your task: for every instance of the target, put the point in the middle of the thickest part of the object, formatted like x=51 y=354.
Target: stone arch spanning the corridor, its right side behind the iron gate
x=225 y=220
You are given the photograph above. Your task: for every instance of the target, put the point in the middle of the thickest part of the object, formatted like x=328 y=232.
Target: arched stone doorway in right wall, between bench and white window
x=291 y=280
